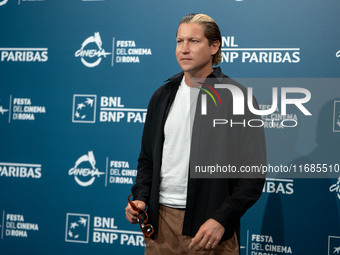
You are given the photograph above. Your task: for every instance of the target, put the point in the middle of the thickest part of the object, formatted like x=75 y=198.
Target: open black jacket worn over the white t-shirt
x=223 y=199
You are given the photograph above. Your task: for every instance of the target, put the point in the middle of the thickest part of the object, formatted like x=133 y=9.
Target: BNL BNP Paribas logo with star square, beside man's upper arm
x=111 y=110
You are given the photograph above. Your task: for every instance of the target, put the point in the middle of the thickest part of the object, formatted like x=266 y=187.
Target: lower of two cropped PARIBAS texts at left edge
x=19 y=170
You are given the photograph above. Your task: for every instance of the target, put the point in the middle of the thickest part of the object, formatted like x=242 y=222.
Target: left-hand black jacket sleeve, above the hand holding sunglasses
x=141 y=190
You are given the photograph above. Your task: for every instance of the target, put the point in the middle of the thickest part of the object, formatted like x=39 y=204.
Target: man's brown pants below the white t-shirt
x=170 y=241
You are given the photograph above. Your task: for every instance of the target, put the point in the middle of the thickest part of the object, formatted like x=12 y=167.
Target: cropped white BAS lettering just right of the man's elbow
x=281 y=186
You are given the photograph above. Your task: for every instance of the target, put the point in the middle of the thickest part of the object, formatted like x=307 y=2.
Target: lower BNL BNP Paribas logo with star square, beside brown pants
x=81 y=228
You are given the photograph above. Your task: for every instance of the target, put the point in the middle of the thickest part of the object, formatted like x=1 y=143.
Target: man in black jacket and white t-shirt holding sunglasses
x=194 y=215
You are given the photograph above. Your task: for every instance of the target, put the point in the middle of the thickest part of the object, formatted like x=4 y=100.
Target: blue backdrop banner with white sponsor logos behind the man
x=76 y=77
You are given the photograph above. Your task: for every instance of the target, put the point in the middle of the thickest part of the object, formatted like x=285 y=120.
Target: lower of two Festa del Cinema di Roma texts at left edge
x=16 y=225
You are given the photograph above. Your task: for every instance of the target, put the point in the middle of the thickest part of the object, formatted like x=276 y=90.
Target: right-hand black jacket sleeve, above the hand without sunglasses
x=246 y=191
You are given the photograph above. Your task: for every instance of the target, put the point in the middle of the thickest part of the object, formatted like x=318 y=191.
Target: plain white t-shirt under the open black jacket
x=176 y=148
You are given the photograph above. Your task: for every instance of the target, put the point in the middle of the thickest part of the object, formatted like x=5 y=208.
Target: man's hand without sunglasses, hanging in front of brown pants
x=208 y=236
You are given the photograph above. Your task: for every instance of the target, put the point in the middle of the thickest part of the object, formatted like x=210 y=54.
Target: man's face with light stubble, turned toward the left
x=193 y=52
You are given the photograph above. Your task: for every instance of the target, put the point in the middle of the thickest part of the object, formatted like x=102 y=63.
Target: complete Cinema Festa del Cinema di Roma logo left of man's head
x=91 y=52
